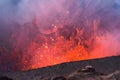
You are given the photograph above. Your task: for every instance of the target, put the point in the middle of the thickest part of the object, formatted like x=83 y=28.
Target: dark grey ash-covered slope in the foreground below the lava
x=97 y=69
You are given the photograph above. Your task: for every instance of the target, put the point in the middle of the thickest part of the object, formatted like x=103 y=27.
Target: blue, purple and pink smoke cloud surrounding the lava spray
x=100 y=16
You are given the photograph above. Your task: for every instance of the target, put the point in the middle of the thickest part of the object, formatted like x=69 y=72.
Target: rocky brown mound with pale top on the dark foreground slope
x=88 y=73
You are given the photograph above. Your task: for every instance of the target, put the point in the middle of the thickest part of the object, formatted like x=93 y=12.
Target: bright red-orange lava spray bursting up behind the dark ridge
x=58 y=45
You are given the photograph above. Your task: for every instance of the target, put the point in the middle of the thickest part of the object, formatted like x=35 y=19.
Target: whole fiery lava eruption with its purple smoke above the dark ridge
x=40 y=33
